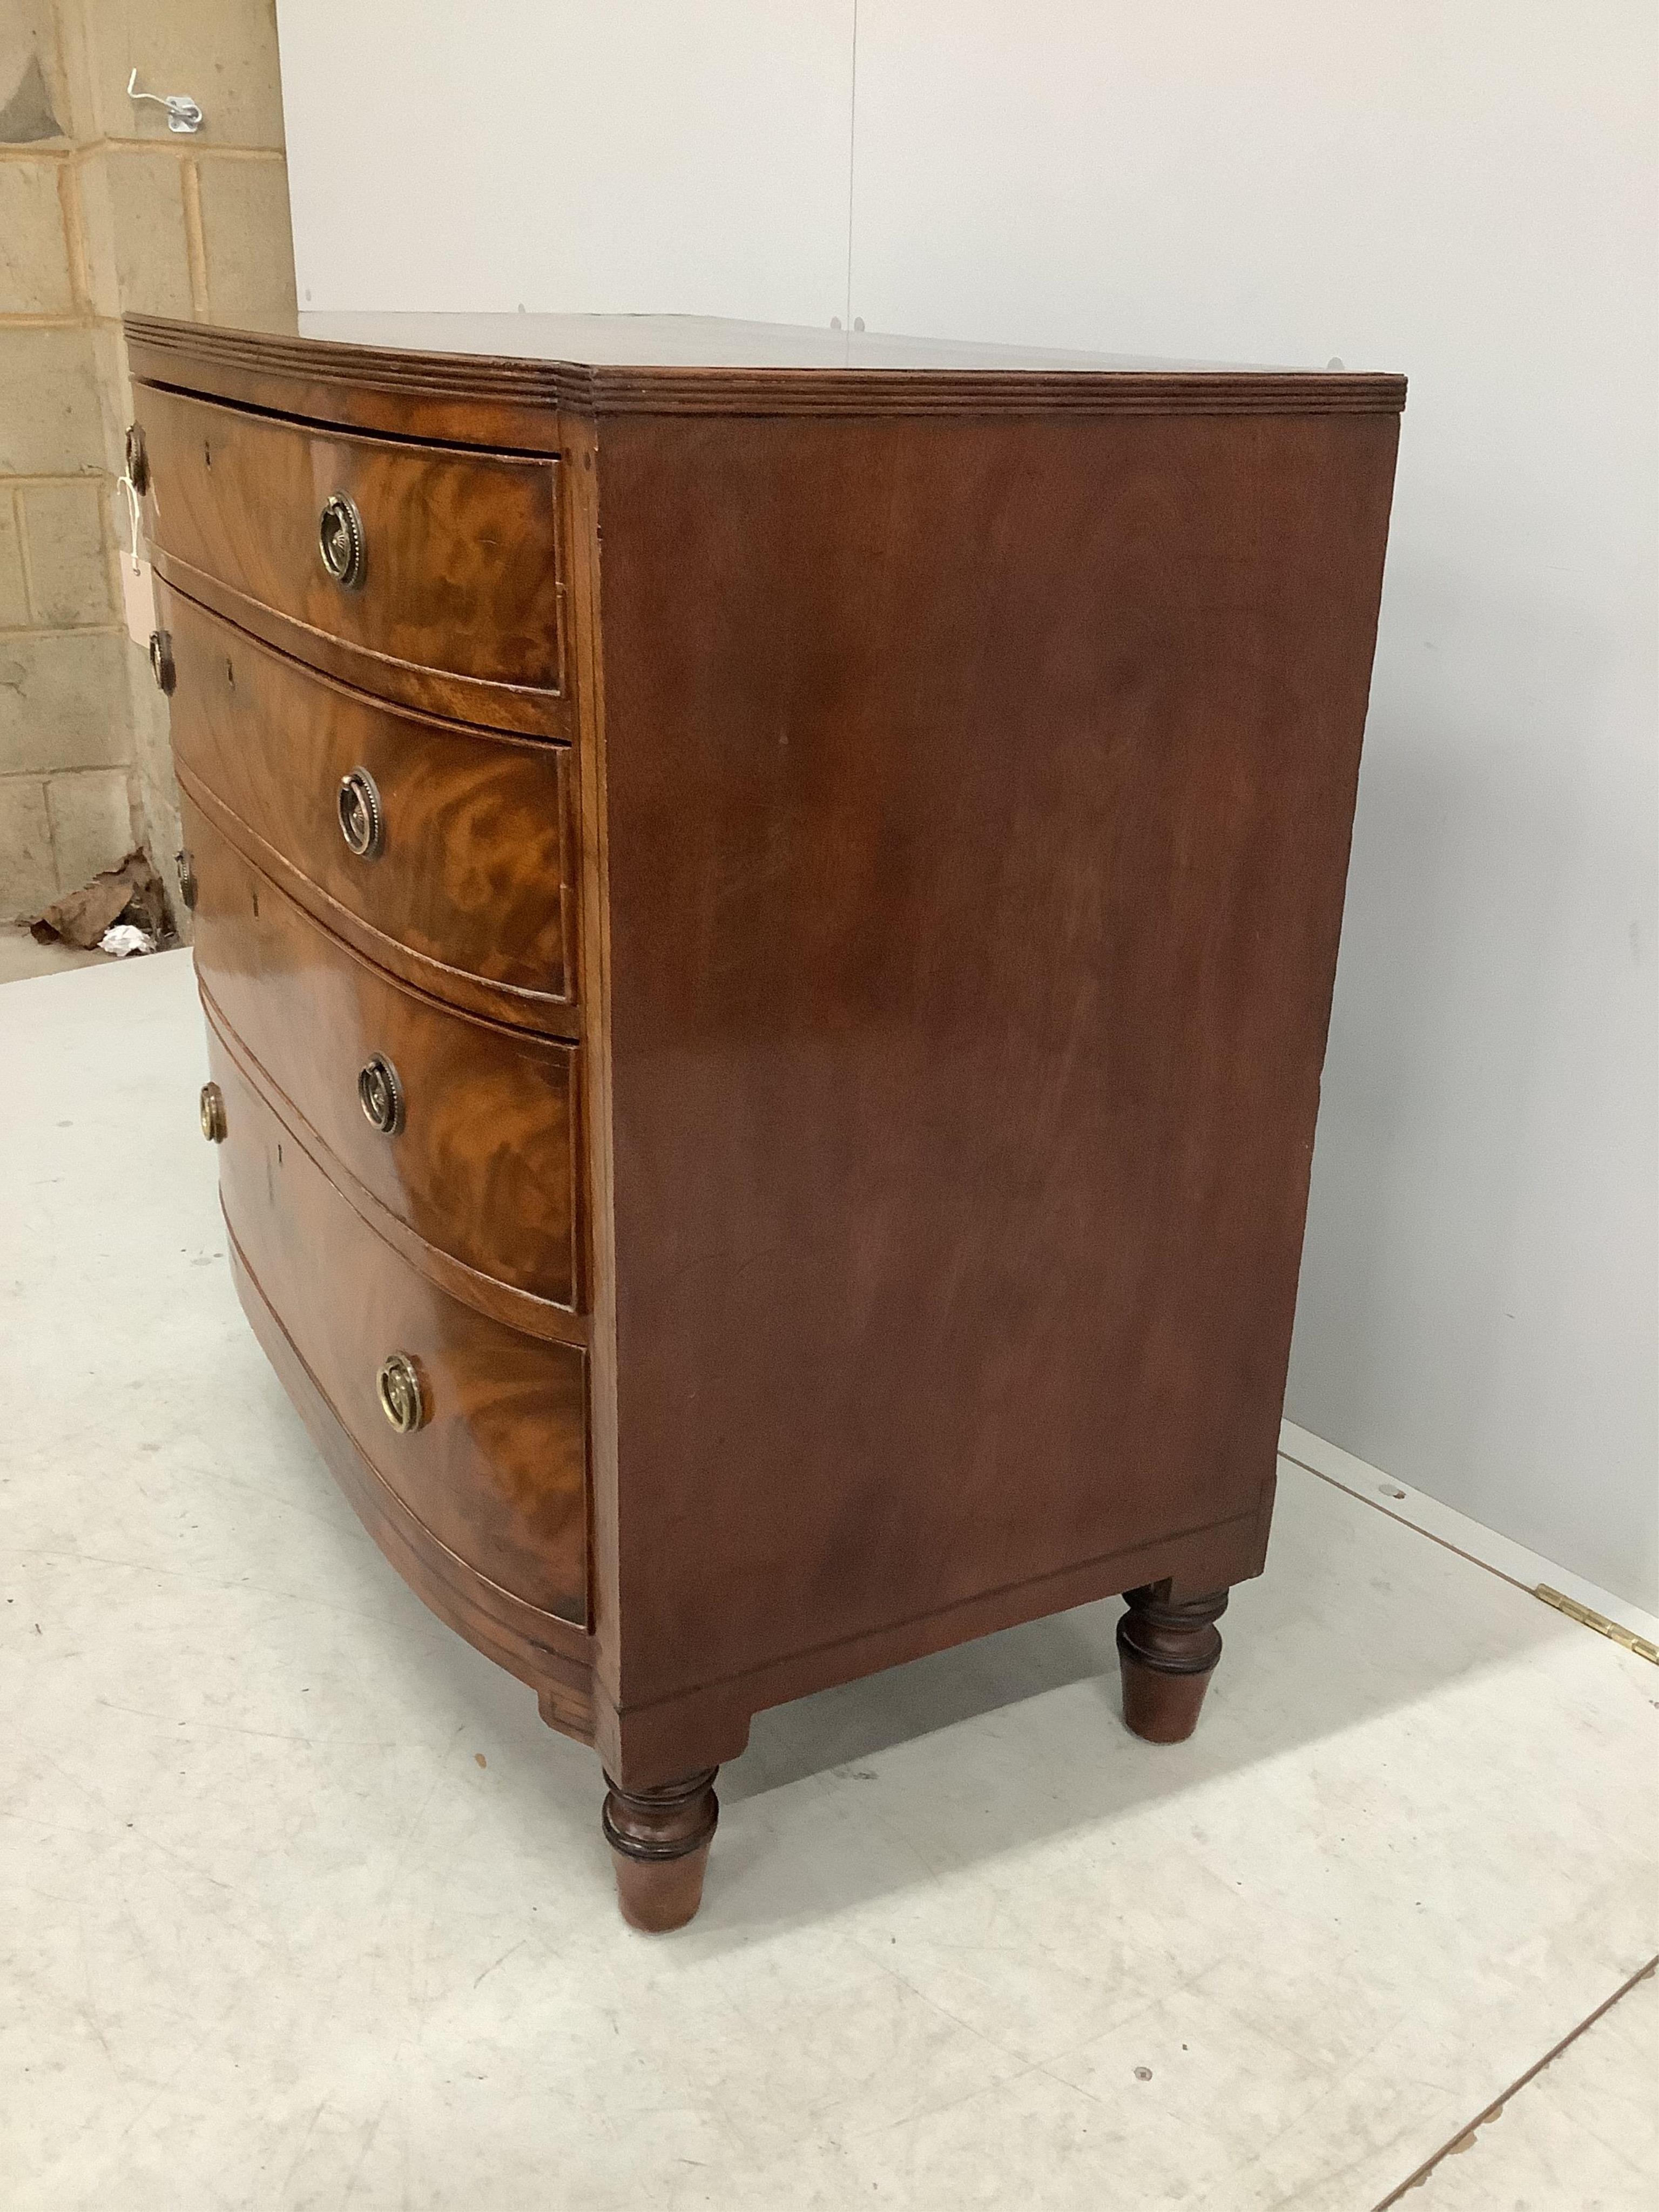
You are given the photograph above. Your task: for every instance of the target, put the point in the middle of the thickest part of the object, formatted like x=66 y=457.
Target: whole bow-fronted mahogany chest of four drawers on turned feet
x=766 y=912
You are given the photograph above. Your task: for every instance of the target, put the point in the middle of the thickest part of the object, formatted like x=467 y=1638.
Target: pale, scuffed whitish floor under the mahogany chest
x=302 y=1906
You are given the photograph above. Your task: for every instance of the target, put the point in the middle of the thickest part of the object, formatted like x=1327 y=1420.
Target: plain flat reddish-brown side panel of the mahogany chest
x=979 y=811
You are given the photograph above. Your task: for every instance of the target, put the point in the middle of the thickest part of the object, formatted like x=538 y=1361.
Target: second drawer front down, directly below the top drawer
x=472 y=866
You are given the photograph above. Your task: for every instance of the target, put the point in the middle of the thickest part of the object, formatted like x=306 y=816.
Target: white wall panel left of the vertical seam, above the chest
x=570 y=156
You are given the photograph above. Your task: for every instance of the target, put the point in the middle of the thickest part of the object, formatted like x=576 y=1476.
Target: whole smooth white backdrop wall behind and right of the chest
x=1465 y=194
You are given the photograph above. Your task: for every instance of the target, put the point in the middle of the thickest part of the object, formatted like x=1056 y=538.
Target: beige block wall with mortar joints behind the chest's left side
x=103 y=213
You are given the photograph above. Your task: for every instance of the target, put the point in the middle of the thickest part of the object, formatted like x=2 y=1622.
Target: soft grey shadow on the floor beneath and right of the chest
x=1357 y=1616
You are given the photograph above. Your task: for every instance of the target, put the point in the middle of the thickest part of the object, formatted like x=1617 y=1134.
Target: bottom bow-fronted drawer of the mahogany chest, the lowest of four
x=499 y=1463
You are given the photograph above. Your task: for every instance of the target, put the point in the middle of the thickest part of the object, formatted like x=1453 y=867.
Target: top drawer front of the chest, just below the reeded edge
x=450 y=594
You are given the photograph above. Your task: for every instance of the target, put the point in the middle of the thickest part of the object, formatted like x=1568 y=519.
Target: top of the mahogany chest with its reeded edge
x=868 y=382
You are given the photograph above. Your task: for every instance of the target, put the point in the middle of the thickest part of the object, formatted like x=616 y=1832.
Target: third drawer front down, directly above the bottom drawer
x=477 y=1147
